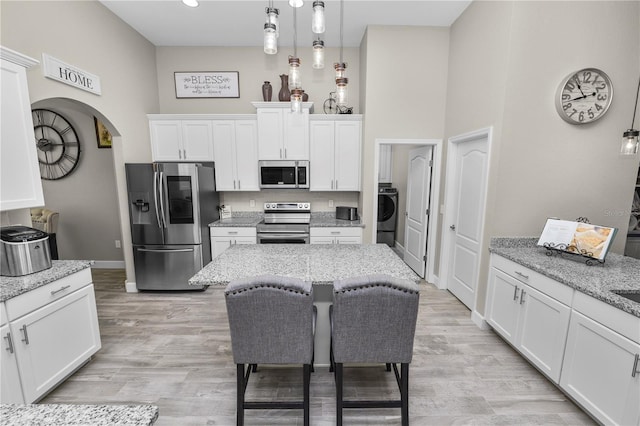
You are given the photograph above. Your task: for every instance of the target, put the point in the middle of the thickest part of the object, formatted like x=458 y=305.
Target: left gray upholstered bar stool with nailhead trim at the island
x=272 y=321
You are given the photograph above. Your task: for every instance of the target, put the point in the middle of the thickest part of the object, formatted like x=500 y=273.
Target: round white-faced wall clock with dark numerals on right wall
x=584 y=96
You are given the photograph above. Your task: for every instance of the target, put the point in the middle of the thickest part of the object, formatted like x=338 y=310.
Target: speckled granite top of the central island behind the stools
x=318 y=263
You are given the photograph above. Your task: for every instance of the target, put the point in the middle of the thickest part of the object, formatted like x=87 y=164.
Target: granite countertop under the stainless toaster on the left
x=14 y=286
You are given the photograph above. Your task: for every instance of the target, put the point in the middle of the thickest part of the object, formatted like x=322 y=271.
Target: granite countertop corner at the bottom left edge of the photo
x=85 y=415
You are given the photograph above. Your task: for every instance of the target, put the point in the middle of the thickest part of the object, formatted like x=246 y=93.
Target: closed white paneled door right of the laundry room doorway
x=466 y=216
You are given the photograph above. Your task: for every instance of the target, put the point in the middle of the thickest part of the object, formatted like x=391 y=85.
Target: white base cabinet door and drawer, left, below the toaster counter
x=55 y=330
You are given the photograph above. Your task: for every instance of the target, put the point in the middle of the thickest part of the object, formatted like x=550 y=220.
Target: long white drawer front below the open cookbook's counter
x=562 y=293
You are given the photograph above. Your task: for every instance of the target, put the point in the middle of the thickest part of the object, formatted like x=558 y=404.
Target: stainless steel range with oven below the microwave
x=285 y=223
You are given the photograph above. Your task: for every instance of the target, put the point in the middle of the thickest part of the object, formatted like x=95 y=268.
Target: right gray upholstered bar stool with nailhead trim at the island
x=373 y=320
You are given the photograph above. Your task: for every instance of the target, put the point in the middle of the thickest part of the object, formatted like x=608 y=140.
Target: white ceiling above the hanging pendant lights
x=240 y=22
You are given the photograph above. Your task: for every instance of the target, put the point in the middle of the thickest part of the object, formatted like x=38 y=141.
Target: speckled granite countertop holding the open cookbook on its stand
x=617 y=273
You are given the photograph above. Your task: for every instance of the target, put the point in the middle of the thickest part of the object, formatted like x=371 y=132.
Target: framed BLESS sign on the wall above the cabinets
x=207 y=84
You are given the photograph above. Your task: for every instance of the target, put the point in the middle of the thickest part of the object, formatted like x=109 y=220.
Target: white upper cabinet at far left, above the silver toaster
x=20 y=185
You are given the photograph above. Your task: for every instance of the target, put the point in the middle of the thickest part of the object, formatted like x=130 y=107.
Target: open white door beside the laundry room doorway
x=417 y=216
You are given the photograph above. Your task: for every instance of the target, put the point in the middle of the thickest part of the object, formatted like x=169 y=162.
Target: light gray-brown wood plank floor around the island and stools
x=173 y=350
